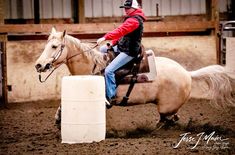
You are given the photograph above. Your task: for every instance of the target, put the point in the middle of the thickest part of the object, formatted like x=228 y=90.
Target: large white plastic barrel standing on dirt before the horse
x=83 y=117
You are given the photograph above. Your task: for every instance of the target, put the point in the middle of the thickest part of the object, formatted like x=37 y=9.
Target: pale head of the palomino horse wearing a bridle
x=54 y=52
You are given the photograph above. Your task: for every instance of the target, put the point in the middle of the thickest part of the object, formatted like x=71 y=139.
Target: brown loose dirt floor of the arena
x=28 y=128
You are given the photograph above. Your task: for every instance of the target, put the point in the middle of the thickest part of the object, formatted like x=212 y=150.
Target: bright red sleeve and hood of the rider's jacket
x=126 y=27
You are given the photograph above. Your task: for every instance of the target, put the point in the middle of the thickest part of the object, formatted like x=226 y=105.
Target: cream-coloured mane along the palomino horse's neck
x=87 y=49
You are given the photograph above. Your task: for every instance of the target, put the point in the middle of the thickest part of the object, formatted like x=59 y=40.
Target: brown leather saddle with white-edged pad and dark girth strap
x=140 y=70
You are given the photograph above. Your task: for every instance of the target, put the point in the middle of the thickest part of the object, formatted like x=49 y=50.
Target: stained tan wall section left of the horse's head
x=22 y=75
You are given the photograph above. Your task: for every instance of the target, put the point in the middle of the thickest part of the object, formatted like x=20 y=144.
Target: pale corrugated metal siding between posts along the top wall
x=107 y=8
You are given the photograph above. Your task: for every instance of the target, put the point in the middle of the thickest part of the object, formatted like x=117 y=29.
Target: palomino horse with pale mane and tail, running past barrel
x=170 y=90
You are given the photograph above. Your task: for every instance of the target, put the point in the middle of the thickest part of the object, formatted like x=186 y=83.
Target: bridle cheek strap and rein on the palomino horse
x=56 y=57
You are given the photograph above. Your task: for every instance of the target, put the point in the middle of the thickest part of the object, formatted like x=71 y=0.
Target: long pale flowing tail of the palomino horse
x=219 y=85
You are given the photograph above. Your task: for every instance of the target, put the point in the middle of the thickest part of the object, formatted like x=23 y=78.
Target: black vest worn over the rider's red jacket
x=131 y=43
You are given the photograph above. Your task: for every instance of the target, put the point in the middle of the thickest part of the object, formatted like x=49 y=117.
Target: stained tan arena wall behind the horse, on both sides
x=192 y=52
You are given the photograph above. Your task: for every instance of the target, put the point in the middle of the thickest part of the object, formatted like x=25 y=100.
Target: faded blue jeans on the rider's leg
x=109 y=74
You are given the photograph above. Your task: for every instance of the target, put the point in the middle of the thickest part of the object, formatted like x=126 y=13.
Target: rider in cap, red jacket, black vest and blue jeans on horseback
x=126 y=39
